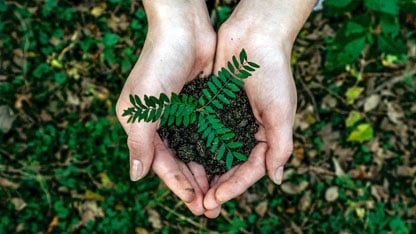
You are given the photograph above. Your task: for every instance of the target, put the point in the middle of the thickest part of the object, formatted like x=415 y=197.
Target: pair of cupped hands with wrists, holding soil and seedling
x=181 y=45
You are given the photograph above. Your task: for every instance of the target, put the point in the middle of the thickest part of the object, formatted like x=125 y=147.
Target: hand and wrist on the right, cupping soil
x=266 y=30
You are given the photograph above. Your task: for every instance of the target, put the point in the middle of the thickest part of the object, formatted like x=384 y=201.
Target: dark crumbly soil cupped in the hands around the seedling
x=187 y=142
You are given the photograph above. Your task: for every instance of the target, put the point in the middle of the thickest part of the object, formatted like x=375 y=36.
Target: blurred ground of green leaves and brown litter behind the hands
x=64 y=158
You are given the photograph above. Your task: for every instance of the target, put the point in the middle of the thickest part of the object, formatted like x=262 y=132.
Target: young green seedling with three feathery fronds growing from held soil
x=183 y=110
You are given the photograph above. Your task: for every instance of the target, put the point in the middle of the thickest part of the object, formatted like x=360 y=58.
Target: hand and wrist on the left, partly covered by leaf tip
x=180 y=45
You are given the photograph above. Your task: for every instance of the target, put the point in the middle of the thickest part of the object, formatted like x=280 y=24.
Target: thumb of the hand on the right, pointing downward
x=279 y=131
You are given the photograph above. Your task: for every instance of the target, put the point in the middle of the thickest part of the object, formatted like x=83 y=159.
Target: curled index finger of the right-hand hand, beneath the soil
x=239 y=180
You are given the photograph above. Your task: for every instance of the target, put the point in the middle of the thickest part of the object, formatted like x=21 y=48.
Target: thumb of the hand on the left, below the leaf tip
x=140 y=143
